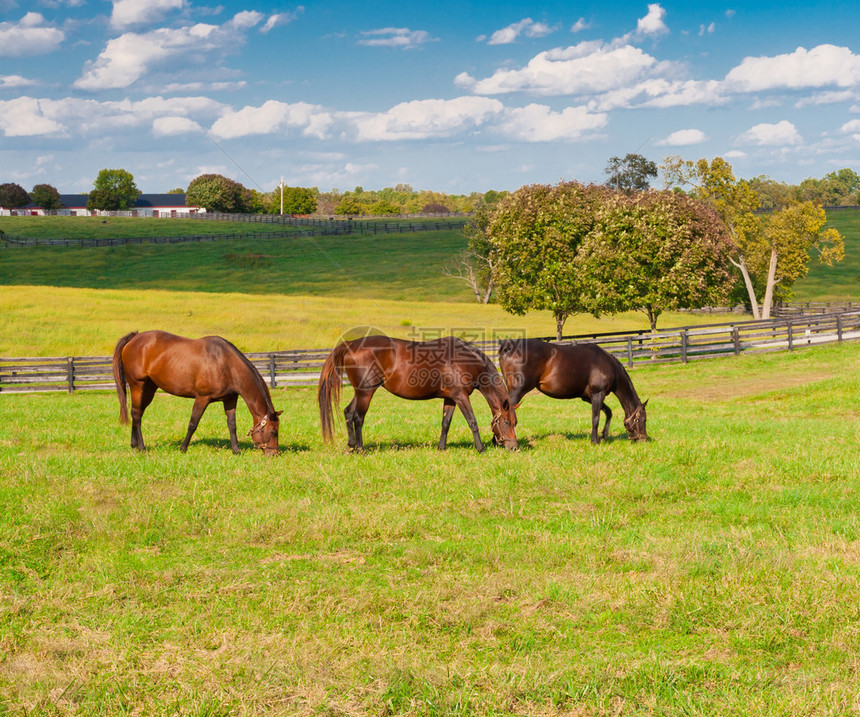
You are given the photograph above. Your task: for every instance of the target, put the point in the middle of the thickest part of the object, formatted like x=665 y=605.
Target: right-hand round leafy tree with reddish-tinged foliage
x=656 y=252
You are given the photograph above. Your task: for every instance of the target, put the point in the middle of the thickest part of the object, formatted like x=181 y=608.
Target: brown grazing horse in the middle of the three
x=446 y=368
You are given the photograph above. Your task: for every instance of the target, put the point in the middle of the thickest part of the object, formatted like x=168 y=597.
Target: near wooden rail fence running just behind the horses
x=301 y=367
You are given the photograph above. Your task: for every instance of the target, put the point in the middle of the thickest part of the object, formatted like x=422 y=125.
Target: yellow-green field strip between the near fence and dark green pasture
x=49 y=321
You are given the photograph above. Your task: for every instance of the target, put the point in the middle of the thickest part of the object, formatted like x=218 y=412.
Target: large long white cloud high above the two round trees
x=589 y=67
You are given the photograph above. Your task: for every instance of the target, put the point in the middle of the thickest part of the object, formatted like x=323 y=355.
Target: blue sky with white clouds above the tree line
x=450 y=96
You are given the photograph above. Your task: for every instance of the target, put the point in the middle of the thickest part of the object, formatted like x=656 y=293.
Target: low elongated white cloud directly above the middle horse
x=424 y=119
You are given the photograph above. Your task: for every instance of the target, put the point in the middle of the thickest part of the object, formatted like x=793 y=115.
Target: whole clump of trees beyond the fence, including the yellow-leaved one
x=573 y=248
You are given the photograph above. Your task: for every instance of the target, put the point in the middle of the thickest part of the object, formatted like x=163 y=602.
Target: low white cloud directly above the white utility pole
x=273 y=117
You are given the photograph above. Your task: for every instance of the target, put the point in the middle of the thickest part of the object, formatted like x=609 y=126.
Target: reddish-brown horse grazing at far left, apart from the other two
x=208 y=370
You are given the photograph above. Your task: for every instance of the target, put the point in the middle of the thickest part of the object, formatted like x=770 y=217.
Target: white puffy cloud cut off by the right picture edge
x=821 y=66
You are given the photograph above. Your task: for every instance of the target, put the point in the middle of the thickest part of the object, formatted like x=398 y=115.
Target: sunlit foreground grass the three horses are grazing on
x=713 y=570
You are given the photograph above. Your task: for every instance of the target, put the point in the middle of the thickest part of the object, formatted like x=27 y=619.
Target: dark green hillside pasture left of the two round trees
x=399 y=267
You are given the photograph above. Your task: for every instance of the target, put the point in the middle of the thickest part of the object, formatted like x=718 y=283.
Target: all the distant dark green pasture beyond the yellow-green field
x=406 y=267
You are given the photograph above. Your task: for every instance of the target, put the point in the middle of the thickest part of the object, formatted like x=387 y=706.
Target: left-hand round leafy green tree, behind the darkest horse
x=536 y=233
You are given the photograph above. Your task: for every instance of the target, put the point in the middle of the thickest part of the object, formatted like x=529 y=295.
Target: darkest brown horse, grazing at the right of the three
x=583 y=371
